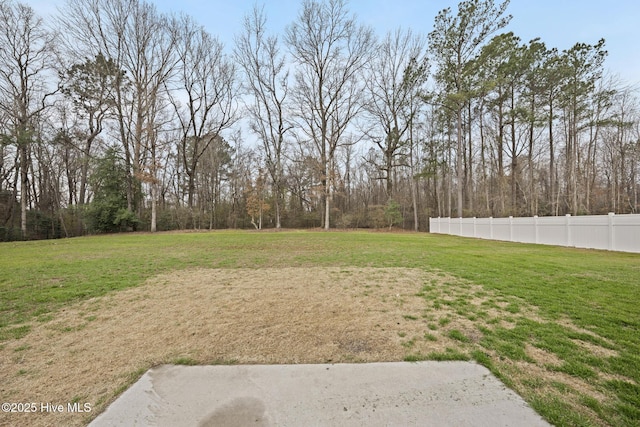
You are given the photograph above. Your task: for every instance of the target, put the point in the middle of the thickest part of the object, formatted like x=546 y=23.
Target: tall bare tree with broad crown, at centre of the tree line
x=331 y=50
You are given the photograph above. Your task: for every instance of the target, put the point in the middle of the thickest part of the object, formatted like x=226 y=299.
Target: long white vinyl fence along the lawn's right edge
x=611 y=232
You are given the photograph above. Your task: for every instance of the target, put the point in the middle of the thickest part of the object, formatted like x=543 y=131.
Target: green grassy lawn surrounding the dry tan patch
x=567 y=337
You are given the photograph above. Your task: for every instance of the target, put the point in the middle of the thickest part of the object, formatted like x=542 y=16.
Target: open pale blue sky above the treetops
x=559 y=23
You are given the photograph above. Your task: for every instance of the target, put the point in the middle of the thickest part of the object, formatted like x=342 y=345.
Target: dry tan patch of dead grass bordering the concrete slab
x=91 y=351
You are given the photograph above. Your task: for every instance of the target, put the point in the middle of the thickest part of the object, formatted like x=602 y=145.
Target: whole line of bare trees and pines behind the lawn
x=116 y=117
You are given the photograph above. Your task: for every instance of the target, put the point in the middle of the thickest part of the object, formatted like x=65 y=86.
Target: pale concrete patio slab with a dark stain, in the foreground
x=374 y=394
